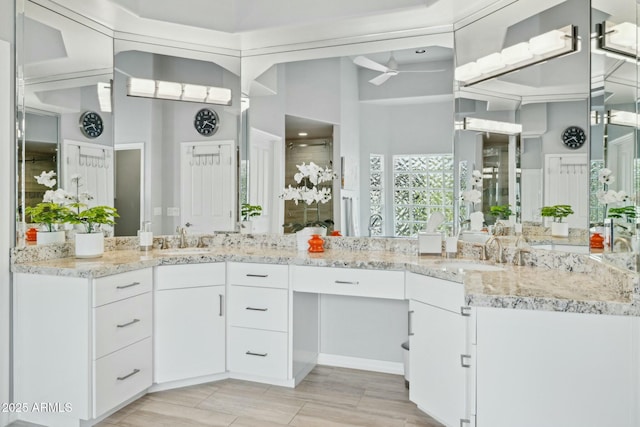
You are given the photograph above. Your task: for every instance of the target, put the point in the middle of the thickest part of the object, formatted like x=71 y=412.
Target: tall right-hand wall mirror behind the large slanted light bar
x=511 y=125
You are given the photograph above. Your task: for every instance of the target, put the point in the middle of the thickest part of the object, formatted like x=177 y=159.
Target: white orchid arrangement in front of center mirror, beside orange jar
x=310 y=192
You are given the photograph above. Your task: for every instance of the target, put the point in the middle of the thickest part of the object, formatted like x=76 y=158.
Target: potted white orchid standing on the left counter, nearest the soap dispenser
x=89 y=238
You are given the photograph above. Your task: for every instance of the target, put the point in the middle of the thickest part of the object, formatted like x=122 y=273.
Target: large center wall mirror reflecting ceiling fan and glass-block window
x=379 y=114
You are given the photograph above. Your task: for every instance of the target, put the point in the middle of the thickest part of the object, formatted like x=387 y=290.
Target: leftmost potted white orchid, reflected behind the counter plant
x=51 y=213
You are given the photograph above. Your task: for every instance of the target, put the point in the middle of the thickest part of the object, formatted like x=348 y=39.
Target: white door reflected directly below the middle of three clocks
x=208 y=186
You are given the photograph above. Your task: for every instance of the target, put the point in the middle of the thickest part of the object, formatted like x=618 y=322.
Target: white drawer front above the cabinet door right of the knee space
x=437 y=292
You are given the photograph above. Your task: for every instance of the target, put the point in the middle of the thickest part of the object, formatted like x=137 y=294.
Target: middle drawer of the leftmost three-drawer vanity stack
x=122 y=323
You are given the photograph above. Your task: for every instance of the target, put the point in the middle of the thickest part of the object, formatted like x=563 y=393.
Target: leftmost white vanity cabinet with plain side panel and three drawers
x=81 y=342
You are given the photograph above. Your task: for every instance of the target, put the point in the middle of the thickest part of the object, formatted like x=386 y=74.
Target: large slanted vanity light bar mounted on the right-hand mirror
x=538 y=49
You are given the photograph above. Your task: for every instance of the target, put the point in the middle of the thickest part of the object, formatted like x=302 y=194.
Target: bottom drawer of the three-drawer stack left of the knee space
x=257 y=352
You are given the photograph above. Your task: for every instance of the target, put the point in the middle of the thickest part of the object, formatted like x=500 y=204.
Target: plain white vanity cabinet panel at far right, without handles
x=541 y=368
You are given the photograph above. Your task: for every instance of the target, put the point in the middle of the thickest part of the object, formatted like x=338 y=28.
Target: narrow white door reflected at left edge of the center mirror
x=266 y=180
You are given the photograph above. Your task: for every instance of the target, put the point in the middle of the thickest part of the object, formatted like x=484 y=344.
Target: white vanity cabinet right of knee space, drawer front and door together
x=441 y=351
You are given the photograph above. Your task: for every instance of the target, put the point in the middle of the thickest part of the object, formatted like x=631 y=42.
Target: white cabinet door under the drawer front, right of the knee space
x=437 y=378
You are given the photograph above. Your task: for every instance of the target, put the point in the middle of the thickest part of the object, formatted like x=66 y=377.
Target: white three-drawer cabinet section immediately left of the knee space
x=258 y=343
